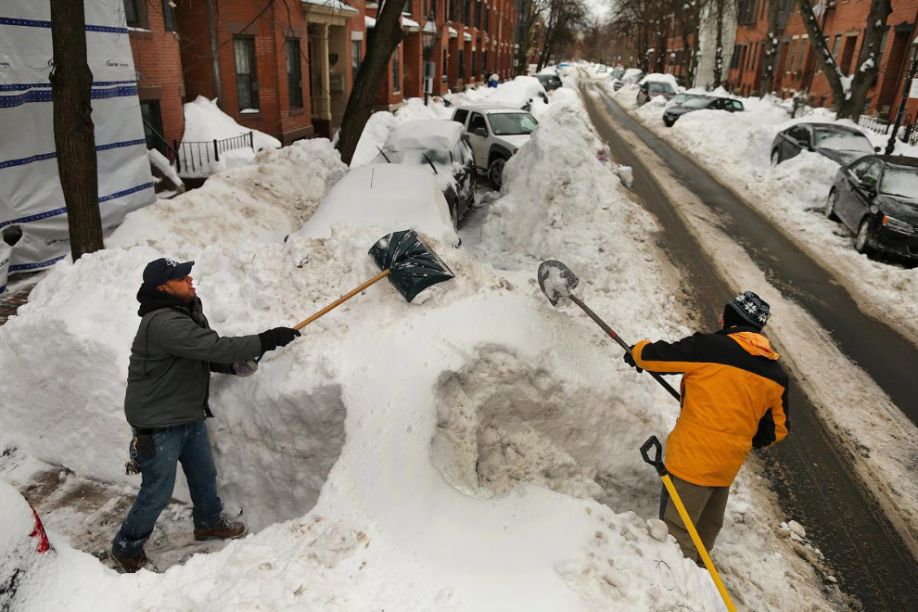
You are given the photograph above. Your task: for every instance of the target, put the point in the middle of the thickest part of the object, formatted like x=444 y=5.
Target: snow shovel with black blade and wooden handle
x=409 y=264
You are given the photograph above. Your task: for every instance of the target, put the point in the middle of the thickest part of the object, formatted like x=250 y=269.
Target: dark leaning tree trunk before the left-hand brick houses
x=386 y=37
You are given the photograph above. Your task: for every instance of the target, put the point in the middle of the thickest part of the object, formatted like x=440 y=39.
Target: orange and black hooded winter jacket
x=734 y=397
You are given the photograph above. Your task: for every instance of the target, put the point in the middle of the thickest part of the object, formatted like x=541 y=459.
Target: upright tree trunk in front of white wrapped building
x=74 y=133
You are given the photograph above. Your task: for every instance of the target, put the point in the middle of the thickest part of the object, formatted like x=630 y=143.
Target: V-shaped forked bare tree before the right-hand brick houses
x=849 y=103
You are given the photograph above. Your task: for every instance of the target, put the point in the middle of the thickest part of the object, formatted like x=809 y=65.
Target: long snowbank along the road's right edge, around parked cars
x=792 y=194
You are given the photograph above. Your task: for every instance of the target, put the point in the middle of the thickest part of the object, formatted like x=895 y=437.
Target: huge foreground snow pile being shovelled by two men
x=448 y=454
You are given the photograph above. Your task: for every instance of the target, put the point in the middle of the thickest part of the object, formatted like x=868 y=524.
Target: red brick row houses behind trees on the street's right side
x=843 y=24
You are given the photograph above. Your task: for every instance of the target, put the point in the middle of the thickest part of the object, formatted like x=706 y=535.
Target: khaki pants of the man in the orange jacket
x=705 y=506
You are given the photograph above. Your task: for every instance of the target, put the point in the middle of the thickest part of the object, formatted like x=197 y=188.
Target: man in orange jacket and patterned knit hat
x=734 y=397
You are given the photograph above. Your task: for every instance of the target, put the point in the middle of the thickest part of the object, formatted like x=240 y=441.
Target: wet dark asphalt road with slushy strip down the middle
x=814 y=481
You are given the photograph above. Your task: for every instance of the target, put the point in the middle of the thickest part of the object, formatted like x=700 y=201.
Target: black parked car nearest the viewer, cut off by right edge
x=876 y=197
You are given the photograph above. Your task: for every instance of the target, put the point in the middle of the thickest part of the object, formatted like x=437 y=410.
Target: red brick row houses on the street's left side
x=286 y=67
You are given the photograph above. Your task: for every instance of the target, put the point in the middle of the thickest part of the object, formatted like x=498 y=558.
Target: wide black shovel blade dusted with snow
x=412 y=265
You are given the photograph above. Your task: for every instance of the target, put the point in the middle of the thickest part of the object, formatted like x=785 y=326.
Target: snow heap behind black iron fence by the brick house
x=206 y=122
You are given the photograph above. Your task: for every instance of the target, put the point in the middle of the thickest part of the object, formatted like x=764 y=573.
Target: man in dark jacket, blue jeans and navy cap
x=172 y=357
